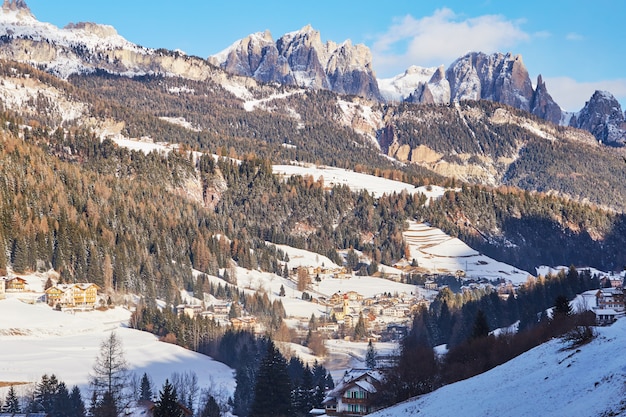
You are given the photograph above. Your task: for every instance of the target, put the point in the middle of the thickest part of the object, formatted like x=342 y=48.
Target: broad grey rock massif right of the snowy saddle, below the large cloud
x=496 y=77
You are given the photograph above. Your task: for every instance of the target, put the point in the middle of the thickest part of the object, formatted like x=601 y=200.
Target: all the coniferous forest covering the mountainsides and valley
x=139 y=223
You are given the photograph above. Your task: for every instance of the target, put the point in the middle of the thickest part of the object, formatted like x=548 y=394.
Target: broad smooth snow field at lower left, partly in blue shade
x=37 y=340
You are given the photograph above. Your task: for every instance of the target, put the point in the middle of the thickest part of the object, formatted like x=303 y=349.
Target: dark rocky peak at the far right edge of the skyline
x=603 y=117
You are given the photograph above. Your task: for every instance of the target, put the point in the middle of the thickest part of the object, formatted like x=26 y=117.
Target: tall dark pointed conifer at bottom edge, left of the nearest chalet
x=272 y=391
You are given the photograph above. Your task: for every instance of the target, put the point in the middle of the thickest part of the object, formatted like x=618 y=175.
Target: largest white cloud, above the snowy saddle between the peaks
x=441 y=38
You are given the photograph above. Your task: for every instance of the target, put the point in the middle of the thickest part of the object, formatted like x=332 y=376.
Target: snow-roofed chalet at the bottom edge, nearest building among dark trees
x=354 y=394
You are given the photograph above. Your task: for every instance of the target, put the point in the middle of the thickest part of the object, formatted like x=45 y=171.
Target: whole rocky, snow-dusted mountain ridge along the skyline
x=296 y=58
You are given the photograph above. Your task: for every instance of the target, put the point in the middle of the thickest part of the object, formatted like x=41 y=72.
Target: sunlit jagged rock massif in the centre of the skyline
x=302 y=59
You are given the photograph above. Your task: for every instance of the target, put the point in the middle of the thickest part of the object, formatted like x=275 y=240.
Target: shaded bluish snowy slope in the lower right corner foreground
x=547 y=381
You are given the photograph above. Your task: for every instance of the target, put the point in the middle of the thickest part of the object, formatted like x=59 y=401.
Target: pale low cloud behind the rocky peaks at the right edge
x=571 y=95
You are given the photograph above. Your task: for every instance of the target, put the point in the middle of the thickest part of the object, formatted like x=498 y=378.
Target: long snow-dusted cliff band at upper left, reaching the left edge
x=85 y=48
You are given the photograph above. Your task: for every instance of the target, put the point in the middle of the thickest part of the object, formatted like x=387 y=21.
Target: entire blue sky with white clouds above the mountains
x=576 y=48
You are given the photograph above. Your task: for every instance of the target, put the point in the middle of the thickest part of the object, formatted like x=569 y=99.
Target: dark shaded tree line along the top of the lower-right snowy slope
x=466 y=330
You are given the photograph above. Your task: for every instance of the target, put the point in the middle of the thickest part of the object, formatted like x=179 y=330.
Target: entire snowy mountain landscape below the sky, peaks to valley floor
x=273 y=231
